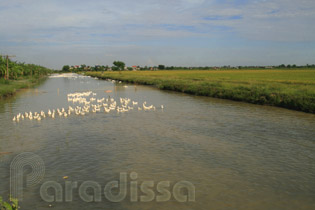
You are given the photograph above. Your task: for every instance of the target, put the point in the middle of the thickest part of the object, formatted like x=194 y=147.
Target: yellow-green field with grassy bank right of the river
x=292 y=89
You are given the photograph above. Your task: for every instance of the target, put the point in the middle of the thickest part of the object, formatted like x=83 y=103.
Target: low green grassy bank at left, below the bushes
x=10 y=87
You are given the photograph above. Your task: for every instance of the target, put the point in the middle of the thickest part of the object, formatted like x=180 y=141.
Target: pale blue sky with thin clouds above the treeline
x=151 y=32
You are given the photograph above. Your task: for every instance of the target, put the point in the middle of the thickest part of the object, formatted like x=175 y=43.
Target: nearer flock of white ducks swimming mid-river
x=84 y=103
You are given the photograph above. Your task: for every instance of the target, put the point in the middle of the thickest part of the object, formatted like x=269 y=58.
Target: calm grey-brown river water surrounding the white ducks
x=237 y=155
